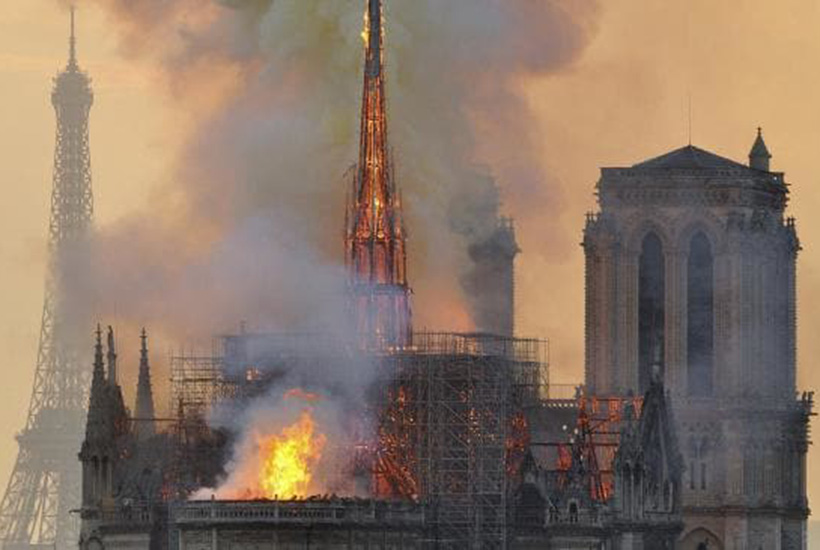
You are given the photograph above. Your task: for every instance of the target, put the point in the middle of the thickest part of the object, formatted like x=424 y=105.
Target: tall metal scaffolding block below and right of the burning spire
x=449 y=425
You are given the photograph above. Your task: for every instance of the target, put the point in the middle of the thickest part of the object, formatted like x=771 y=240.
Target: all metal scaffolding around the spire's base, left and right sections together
x=451 y=413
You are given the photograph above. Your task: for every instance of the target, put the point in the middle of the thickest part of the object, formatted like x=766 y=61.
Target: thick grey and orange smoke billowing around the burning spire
x=250 y=225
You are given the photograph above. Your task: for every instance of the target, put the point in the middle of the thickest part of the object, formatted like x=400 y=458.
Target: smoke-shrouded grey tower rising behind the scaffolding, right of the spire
x=491 y=282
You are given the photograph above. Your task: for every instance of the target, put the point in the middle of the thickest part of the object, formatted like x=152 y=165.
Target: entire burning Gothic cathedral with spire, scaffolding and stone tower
x=687 y=433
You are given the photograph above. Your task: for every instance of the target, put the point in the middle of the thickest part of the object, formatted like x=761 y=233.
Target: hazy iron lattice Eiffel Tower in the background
x=45 y=484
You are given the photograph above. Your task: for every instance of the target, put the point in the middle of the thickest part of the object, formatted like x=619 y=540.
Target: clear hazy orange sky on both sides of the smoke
x=743 y=63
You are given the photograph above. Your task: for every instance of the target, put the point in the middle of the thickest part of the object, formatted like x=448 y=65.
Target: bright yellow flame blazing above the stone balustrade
x=288 y=459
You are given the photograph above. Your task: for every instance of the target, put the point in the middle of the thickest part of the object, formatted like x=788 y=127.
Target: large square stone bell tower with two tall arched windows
x=690 y=263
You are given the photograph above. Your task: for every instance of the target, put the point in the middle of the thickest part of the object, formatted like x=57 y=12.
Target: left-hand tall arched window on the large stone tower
x=651 y=285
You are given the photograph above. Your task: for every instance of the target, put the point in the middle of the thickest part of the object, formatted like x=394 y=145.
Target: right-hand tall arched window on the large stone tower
x=700 y=316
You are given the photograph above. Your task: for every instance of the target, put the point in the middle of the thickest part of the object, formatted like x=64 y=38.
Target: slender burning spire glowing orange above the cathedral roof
x=374 y=233
